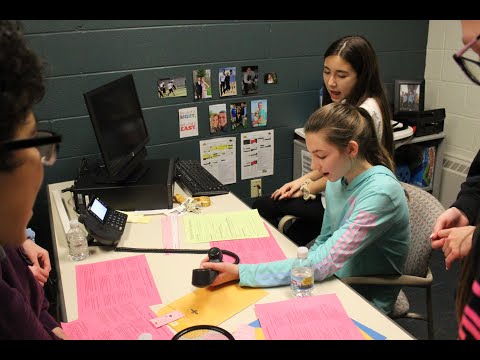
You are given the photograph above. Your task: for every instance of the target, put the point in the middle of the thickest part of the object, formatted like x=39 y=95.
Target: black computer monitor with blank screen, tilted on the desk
x=117 y=119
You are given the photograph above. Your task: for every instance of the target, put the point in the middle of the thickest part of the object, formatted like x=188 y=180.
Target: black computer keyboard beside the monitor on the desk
x=197 y=180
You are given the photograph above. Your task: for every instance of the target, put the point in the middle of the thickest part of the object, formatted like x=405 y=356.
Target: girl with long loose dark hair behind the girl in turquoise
x=351 y=75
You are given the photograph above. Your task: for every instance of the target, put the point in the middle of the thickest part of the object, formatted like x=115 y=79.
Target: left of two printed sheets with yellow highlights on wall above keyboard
x=218 y=156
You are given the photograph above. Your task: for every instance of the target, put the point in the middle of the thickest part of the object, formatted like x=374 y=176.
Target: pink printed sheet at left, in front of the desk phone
x=115 y=282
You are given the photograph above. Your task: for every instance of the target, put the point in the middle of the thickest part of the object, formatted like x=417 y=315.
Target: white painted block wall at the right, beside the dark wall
x=446 y=86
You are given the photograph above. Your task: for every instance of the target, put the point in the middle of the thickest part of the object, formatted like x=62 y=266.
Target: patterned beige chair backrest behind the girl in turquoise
x=424 y=209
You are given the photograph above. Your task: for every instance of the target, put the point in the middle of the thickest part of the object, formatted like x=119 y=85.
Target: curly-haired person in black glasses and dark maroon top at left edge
x=24 y=152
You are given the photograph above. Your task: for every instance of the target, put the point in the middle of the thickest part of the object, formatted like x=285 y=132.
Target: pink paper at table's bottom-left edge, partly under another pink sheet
x=119 y=322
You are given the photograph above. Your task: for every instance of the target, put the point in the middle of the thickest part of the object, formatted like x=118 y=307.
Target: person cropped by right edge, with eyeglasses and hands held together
x=456 y=230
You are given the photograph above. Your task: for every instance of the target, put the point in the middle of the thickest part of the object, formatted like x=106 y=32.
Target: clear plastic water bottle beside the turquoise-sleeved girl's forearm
x=302 y=279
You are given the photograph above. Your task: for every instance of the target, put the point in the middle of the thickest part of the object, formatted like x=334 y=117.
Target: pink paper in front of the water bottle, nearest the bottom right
x=320 y=317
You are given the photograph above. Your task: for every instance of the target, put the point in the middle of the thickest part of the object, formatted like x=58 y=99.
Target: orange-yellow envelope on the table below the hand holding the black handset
x=211 y=306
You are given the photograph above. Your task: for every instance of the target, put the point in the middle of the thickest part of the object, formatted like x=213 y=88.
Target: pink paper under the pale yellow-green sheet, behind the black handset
x=252 y=251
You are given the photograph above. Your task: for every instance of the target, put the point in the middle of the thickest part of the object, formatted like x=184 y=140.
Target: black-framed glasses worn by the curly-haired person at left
x=47 y=143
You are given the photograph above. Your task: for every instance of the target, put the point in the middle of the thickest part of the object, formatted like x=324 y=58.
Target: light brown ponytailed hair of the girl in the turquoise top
x=342 y=123
